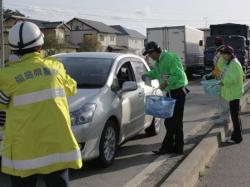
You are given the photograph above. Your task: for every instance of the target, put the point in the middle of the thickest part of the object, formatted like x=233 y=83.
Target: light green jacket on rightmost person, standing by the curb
x=232 y=81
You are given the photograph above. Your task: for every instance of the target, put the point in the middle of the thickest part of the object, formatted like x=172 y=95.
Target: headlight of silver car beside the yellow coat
x=83 y=115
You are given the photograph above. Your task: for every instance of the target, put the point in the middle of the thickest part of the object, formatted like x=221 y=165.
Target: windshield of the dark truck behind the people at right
x=236 y=42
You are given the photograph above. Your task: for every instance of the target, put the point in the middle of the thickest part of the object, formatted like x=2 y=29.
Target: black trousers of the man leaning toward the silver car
x=173 y=140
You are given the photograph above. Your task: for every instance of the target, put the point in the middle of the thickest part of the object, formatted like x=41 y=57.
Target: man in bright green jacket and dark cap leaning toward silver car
x=169 y=71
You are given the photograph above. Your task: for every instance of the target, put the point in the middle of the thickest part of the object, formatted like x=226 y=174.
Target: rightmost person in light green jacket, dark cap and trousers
x=232 y=89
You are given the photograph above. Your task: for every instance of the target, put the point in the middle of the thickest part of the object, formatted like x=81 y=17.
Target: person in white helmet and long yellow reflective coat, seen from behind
x=38 y=139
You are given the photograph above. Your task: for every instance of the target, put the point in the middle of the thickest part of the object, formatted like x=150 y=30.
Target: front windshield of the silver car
x=88 y=72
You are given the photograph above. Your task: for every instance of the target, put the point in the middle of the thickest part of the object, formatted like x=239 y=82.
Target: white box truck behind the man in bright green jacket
x=187 y=42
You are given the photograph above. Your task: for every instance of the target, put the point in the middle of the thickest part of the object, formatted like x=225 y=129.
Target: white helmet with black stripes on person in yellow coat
x=25 y=35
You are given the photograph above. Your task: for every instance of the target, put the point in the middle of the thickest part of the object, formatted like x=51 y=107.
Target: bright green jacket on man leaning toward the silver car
x=169 y=64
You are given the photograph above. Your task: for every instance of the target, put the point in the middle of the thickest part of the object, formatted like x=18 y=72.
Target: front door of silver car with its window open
x=132 y=101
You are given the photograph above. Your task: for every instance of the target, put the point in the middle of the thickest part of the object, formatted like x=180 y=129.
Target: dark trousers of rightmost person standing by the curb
x=234 y=111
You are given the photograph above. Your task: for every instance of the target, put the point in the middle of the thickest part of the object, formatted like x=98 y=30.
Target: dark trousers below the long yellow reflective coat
x=55 y=179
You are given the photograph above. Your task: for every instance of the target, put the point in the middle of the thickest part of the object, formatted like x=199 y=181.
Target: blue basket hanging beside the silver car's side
x=160 y=106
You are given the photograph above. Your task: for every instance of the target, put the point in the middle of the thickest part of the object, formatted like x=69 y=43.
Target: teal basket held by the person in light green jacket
x=211 y=87
